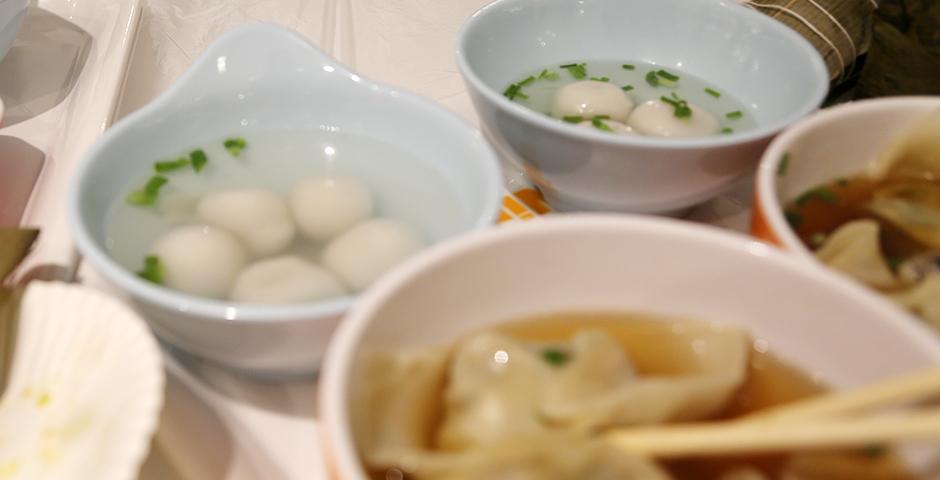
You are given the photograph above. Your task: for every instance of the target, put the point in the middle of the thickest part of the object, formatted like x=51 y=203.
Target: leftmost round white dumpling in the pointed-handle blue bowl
x=200 y=260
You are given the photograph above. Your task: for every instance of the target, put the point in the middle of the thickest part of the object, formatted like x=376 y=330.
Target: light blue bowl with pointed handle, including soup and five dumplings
x=244 y=209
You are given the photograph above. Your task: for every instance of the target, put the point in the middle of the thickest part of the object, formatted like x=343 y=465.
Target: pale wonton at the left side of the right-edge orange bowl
x=855 y=249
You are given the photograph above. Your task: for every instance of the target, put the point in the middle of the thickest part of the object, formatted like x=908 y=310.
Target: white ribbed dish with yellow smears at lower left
x=86 y=388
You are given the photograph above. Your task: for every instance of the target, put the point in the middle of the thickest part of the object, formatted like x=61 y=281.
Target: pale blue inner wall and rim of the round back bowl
x=766 y=66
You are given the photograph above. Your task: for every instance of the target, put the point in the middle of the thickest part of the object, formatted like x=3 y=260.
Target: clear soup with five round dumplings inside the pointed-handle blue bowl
x=279 y=216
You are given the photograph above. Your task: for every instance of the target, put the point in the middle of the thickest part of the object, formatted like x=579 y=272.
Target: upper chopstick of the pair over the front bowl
x=920 y=385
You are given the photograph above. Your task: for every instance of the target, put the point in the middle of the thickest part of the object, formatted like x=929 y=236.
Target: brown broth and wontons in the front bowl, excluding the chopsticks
x=532 y=400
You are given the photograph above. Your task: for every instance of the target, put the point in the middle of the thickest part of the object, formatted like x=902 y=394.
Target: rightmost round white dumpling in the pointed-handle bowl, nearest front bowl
x=366 y=251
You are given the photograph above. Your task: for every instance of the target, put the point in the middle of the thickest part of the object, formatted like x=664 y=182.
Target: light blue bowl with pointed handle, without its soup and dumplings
x=262 y=77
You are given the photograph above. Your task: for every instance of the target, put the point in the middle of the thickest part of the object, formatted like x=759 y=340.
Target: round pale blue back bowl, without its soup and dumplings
x=771 y=69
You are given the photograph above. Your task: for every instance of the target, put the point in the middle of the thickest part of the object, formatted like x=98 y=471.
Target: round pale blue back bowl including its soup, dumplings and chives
x=634 y=106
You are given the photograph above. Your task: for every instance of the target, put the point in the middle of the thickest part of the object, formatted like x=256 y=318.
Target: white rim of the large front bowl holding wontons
x=338 y=445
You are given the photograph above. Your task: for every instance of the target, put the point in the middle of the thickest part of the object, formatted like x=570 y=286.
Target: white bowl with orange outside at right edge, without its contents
x=833 y=143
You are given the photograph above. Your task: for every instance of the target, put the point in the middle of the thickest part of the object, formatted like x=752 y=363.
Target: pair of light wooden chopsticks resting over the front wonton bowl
x=831 y=420
